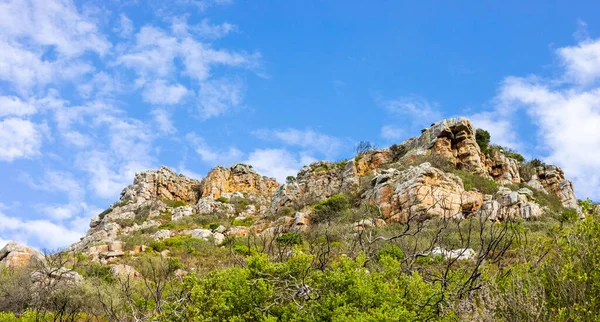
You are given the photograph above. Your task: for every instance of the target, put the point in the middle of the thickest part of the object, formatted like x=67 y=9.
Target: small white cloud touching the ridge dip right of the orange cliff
x=277 y=163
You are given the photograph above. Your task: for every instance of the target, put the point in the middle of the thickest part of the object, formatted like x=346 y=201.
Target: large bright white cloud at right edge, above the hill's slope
x=568 y=120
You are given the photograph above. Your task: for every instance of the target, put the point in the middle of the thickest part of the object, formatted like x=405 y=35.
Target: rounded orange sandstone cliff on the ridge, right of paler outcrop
x=238 y=178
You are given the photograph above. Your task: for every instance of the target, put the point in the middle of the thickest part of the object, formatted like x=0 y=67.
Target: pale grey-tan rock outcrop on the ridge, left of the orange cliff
x=161 y=184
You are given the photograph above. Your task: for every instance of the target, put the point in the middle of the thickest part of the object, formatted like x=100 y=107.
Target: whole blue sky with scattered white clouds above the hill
x=93 y=91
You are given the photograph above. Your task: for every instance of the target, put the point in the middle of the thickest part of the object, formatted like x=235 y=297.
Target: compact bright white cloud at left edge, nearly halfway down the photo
x=19 y=139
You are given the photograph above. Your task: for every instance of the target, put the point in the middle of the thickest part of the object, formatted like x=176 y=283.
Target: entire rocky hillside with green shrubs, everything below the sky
x=450 y=229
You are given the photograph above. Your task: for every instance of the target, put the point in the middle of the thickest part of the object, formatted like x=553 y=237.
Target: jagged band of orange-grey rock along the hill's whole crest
x=391 y=179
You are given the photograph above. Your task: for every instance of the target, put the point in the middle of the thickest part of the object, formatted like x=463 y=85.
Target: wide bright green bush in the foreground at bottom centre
x=265 y=291
